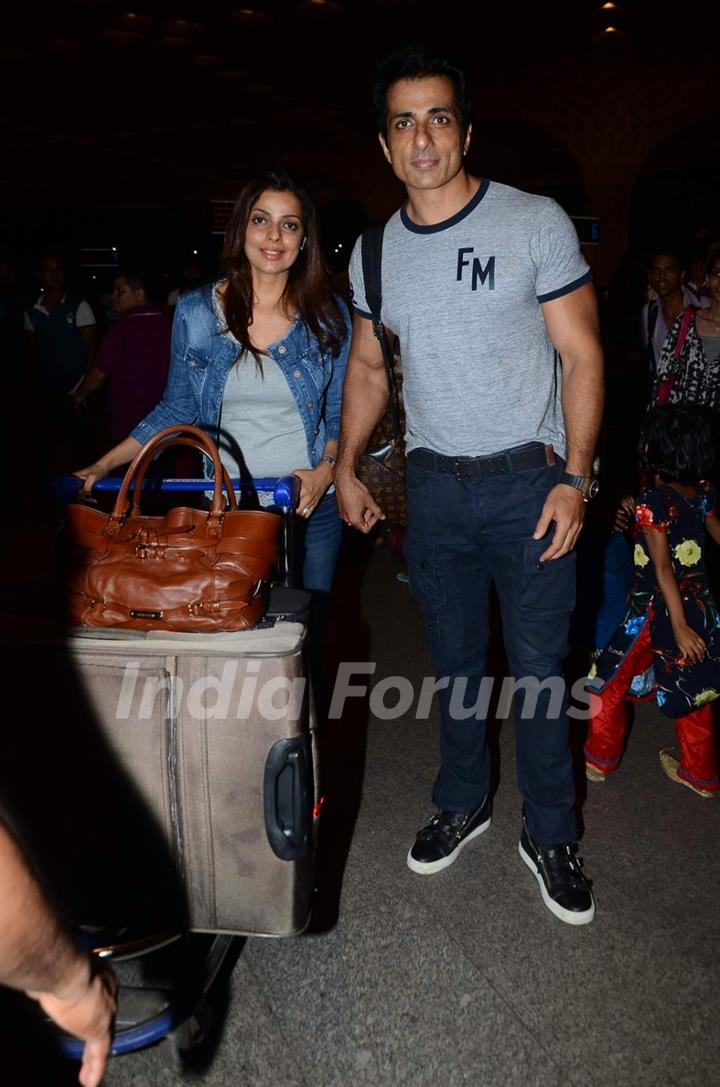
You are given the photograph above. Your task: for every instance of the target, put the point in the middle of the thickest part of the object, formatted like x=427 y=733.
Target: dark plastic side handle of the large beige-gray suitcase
x=289 y=798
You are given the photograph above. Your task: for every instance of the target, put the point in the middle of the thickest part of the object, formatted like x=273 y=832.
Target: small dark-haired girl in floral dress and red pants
x=669 y=641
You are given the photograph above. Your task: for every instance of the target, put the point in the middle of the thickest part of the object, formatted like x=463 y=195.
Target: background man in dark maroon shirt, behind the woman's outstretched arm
x=135 y=356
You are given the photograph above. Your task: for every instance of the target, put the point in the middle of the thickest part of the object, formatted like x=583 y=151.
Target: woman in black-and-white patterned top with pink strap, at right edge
x=689 y=371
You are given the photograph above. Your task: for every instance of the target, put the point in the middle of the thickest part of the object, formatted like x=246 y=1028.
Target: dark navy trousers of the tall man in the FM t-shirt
x=462 y=538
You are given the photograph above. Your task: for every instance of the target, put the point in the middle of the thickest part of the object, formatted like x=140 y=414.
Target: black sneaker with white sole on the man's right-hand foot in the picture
x=566 y=891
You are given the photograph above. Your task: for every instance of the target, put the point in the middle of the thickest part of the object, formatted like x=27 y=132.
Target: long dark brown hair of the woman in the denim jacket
x=307 y=291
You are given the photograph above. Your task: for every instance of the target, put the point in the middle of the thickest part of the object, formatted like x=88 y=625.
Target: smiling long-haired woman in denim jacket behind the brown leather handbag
x=258 y=359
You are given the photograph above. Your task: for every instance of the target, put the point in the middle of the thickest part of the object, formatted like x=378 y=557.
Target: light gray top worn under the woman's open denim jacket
x=260 y=421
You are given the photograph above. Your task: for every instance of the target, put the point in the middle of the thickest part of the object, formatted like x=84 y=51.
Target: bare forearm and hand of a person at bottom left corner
x=39 y=957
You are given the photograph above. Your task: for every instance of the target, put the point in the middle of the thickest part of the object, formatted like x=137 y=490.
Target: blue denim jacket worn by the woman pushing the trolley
x=203 y=356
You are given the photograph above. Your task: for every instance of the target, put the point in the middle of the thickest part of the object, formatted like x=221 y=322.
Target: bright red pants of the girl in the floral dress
x=607 y=728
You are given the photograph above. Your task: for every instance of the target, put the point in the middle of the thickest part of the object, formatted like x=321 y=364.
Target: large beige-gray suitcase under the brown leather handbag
x=217 y=732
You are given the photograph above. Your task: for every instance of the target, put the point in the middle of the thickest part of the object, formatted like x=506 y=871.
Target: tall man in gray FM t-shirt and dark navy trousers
x=486 y=289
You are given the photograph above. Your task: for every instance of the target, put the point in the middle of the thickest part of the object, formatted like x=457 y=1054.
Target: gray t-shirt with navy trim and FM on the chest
x=464 y=297
